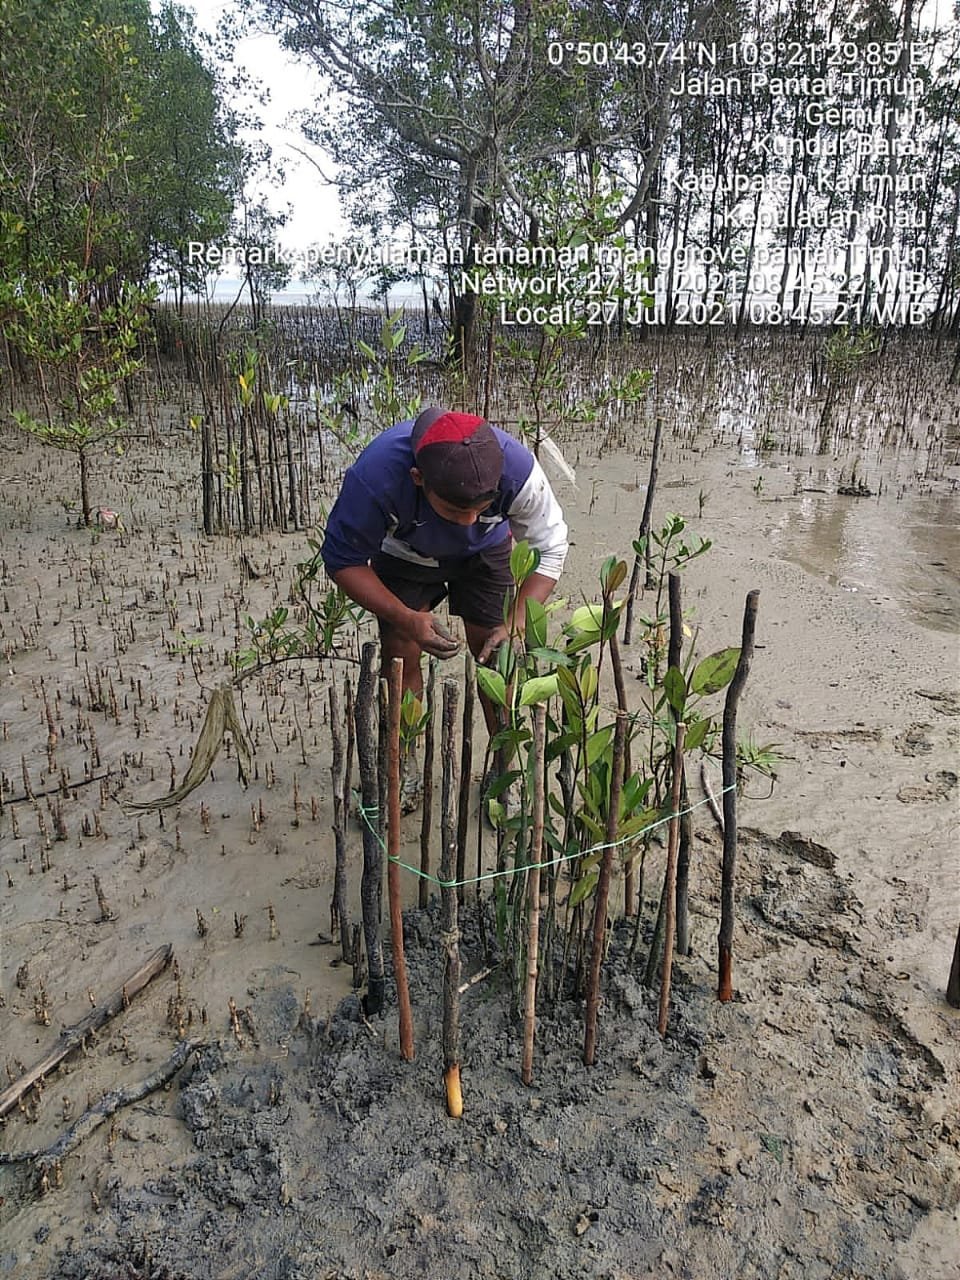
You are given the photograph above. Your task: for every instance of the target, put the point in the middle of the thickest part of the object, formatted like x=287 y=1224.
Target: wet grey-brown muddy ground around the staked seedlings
x=807 y=1130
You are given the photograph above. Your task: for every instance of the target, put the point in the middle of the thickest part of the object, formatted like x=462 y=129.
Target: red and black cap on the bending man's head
x=458 y=455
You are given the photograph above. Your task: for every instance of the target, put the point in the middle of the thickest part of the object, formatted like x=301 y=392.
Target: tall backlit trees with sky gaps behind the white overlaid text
x=520 y=122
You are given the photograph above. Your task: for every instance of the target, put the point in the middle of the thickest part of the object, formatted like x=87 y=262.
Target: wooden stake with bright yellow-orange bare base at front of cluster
x=449 y=903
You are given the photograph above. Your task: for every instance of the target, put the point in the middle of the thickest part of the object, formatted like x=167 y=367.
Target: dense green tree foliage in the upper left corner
x=116 y=150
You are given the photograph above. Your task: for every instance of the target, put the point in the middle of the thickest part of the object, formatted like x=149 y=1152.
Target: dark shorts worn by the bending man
x=477 y=587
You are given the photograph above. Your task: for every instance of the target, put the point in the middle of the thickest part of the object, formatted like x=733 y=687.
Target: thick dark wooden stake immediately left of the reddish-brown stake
x=372 y=879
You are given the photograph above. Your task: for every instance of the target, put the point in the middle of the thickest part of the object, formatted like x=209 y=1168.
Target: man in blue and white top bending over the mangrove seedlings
x=428 y=511
